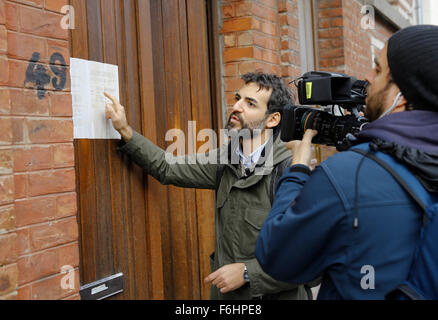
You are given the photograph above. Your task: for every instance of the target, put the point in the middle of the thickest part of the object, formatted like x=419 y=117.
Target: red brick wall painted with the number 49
x=38 y=226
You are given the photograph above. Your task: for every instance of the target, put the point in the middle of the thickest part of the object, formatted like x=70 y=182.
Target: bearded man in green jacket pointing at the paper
x=242 y=196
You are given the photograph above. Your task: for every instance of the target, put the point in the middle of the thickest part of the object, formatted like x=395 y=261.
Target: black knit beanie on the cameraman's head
x=413 y=61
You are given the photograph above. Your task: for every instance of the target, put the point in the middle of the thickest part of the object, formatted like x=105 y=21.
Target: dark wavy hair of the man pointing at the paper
x=281 y=95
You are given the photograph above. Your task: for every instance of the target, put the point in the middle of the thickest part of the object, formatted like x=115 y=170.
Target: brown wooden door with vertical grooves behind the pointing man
x=159 y=237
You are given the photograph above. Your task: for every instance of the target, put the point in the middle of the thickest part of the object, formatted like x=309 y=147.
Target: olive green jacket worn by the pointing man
x=242 y=205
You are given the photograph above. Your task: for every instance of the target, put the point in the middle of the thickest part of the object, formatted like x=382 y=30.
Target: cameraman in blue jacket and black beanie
x=314 y=229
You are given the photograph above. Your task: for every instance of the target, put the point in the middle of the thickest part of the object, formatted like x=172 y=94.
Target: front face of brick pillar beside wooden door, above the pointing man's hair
x=250 y=39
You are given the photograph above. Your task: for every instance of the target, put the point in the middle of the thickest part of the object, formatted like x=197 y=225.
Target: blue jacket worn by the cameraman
x=309 y=231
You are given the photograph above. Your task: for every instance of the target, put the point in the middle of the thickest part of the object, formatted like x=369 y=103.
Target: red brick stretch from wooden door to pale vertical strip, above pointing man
x=258 y=36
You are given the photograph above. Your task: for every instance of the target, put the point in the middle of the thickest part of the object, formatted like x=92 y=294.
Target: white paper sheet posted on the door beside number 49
x=89 y=80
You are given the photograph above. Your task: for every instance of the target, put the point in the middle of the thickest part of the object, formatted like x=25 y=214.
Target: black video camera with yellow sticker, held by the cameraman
x=326 y=89
